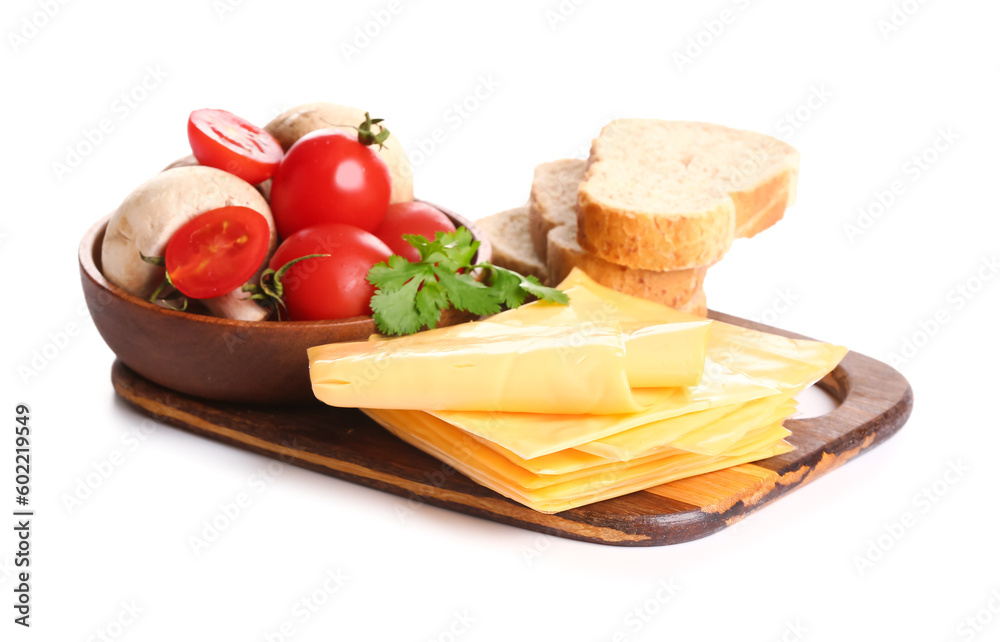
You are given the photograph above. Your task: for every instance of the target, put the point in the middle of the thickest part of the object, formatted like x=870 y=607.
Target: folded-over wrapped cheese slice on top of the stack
x=584 y=367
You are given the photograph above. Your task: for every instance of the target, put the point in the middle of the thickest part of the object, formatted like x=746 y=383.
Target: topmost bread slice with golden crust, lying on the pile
x=662 y=195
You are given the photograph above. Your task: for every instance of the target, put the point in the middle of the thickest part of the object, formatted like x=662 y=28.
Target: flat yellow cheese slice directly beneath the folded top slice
x=741 y=365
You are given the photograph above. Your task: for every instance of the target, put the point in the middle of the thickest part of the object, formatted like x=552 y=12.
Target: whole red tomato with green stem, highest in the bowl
x=327 y=176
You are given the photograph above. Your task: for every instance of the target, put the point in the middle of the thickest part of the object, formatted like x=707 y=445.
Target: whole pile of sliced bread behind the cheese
x=654 y=206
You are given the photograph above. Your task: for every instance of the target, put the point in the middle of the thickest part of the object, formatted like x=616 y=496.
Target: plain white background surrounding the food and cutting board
x=793 y=570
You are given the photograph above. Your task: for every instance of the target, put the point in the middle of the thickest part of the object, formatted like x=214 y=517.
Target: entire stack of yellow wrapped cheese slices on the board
x=560 y=406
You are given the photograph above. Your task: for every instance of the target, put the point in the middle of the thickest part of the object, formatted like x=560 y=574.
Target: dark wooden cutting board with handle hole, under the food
x=874 y=402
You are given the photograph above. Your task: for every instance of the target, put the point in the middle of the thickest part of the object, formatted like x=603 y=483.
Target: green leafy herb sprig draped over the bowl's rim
x=411 y=296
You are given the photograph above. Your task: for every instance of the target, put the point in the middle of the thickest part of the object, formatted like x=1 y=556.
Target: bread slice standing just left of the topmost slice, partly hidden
x=553 y=200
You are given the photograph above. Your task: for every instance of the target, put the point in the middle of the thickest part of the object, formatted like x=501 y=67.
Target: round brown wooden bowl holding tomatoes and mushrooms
x=222 y=359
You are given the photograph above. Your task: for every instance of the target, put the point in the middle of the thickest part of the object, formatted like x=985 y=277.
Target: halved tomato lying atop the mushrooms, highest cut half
x=225 y=141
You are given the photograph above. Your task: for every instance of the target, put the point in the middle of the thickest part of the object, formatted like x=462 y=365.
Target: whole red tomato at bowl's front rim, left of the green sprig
x=333 y=287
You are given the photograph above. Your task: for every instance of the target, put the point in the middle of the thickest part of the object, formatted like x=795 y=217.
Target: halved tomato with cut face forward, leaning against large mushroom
x=216 y=252
